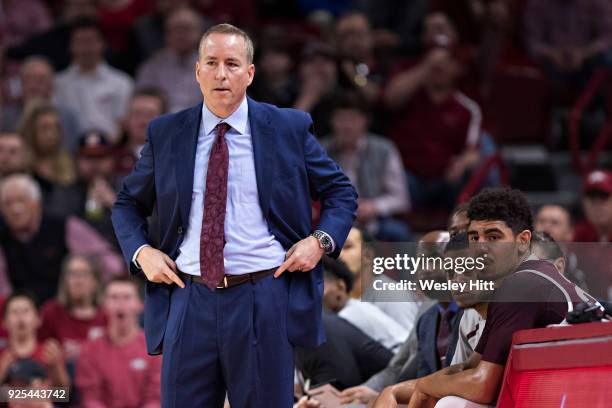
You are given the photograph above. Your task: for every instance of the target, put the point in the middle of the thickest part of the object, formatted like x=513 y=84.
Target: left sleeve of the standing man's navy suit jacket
x=135 y=203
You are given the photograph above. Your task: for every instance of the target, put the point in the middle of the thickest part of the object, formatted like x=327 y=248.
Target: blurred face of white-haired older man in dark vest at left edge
x=19 y=208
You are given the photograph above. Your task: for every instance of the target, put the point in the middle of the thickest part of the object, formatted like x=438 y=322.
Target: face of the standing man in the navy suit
x=224 y=73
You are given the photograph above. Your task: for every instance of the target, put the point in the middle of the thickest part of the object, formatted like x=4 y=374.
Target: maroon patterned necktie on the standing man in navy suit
x=212 y=237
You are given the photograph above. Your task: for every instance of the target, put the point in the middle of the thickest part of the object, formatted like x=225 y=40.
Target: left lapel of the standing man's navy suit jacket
x=184 y=144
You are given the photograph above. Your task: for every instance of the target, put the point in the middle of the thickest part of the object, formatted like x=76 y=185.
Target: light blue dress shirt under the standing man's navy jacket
x=250 y=247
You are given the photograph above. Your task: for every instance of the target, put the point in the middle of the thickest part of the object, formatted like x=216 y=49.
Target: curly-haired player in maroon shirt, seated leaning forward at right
x=501 y=225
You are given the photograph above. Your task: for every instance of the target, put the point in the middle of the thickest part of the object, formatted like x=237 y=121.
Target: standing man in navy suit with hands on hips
x=231 y=181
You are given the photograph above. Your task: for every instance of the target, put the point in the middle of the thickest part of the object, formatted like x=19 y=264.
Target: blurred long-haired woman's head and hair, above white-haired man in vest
x=40 y=126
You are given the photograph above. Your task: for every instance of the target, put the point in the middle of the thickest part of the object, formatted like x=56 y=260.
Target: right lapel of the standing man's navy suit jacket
x=264 y=149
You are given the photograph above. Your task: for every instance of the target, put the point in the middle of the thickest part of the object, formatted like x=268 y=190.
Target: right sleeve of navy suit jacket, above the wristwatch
x=329 y=185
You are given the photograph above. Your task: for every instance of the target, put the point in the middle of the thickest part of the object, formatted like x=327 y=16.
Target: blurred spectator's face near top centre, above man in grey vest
x=355 y=39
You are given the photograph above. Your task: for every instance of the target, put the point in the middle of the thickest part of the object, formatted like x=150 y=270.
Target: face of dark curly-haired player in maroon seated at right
x=501 y=248
